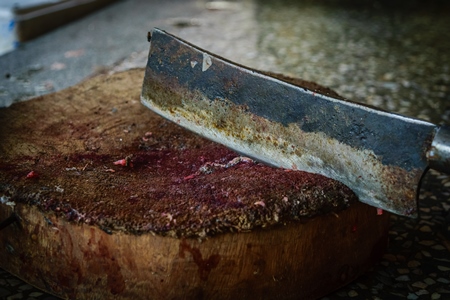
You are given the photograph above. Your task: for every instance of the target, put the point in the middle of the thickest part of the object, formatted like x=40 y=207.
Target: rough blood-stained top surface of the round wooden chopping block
x=94 y=154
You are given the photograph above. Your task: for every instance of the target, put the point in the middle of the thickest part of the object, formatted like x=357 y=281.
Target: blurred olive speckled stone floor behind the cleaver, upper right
x=392 y=56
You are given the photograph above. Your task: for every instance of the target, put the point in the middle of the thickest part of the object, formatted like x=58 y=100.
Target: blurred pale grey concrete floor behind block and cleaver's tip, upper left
x=115 y=38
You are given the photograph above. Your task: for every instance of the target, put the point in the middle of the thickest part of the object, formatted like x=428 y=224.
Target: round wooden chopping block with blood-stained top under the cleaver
x=114 y=202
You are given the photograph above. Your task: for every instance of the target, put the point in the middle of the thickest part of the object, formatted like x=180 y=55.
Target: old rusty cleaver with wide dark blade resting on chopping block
x=380 y=155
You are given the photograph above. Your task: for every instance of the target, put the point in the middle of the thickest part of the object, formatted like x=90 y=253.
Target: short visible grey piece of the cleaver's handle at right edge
x=439 y=153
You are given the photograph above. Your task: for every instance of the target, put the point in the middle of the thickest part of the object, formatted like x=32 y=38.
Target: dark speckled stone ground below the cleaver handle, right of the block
x=417 y=263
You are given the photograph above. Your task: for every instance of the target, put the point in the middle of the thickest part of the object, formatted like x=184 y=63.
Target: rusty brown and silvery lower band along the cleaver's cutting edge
x=392 y=188
